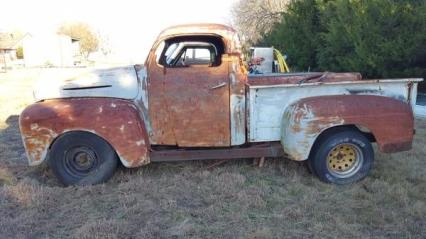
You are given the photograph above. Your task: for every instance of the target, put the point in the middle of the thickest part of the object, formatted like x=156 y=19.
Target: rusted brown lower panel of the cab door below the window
x=199 y=112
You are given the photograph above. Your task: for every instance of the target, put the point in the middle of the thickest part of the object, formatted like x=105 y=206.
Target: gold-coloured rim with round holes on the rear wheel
x=344 y=160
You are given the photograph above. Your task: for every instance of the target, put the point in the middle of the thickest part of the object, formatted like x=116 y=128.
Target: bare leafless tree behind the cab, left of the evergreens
x=253 y=18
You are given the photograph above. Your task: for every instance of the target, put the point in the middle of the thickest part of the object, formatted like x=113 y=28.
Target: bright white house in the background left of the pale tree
x=52 y=50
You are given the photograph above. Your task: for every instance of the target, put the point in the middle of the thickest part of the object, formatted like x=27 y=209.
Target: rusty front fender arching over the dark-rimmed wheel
x=115 y=120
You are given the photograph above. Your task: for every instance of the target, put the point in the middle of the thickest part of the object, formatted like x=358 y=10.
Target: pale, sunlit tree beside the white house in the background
x=89 y=41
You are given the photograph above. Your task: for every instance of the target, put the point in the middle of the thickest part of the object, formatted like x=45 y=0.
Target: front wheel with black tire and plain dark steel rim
x=82 y=158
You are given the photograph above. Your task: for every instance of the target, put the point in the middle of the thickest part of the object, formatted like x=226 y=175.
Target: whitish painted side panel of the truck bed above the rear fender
x=268 y=102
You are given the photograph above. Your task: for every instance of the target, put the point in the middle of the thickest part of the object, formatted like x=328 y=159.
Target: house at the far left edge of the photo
x=10 y=42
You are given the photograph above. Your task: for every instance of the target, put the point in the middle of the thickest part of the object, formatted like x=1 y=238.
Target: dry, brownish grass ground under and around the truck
x=191 y=200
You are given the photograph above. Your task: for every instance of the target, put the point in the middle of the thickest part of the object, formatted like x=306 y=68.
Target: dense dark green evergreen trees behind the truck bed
x=379 y=38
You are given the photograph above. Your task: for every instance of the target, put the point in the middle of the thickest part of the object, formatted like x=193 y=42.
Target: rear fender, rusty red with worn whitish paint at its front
x=390 y=121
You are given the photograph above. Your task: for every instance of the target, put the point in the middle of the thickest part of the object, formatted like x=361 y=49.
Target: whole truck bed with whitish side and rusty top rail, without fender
x=269 y=95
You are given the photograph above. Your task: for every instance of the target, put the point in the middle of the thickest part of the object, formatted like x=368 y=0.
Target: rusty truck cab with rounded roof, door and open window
x=197 y=75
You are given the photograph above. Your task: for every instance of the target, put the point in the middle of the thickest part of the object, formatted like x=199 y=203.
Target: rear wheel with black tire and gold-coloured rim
x=341 y=156
